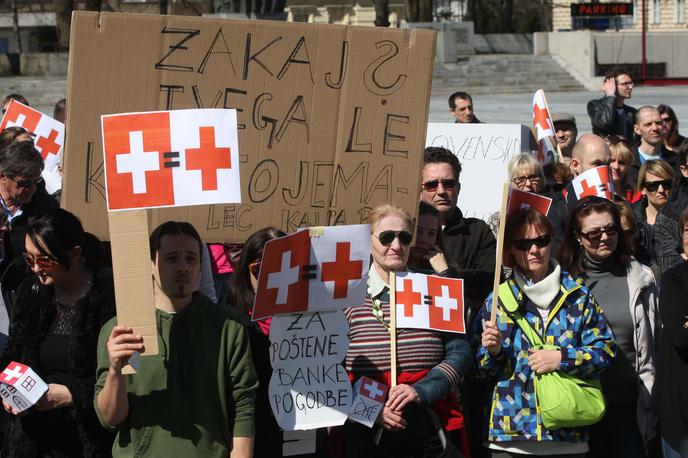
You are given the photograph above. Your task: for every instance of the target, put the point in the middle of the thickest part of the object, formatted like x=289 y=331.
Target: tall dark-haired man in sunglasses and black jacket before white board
x=470 y=244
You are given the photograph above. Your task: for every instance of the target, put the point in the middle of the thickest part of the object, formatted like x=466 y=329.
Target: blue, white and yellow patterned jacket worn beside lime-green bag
x=576 y=324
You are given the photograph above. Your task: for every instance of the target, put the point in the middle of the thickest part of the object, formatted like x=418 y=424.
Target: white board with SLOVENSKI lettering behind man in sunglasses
x=484 y=151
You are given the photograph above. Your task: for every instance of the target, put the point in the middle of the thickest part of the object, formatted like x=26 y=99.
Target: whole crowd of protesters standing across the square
x=597 y=291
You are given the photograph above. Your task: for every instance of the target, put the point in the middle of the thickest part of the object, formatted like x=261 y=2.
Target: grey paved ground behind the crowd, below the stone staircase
x=516 y=108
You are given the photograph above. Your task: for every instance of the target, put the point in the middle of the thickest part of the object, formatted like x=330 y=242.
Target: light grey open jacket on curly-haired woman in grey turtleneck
x=644 y=308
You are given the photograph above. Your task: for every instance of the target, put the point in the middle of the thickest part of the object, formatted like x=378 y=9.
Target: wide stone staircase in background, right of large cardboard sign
x=503 y=74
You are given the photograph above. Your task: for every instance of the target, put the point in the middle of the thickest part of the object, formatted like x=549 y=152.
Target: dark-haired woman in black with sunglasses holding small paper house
x=54 y=329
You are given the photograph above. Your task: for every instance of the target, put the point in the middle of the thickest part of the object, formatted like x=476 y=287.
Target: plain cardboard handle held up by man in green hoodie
x=132 y=271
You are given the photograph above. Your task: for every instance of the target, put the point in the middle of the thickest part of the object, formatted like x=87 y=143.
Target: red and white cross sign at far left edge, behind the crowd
x=48 y=138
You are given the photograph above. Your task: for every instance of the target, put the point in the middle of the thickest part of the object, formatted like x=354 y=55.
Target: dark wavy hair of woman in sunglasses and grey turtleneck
x=571 y=253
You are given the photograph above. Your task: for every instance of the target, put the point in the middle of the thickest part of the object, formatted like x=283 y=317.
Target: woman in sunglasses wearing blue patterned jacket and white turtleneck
x=565 y=314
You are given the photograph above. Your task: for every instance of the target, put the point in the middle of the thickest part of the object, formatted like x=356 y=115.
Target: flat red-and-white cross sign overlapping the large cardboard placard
x=171 y=158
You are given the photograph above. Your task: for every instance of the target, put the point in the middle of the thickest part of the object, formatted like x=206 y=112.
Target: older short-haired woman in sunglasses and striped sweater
x=430 y=363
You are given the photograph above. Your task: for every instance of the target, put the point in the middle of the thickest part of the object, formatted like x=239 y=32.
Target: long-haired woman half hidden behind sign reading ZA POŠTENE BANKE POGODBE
x=240 y=296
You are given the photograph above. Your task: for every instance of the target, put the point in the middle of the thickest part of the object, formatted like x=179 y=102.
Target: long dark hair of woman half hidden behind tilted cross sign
x=241 y=294
